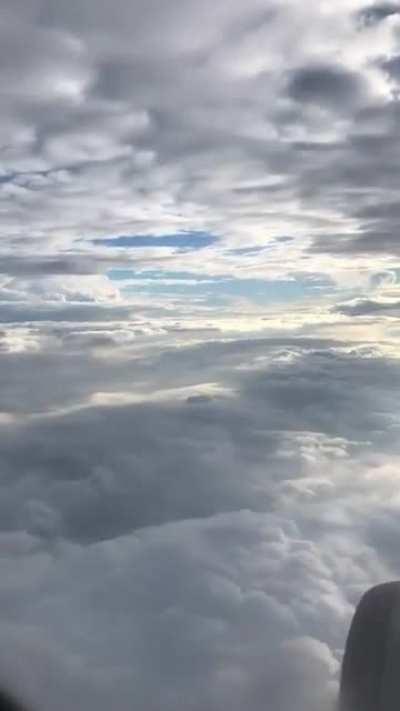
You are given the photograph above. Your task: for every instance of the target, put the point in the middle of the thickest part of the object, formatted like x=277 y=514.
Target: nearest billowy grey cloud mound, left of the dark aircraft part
x=182 y=618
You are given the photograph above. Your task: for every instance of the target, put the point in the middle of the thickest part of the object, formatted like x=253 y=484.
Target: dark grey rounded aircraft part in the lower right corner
x=370 y=678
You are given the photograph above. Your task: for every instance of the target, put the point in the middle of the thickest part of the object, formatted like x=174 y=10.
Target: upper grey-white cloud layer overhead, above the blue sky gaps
x=108 y=137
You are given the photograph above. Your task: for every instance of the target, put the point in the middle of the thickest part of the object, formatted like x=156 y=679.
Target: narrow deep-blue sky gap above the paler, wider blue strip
x=180 y=240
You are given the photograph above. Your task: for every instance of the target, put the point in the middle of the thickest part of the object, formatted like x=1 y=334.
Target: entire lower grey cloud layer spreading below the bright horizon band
x=230 y=533
